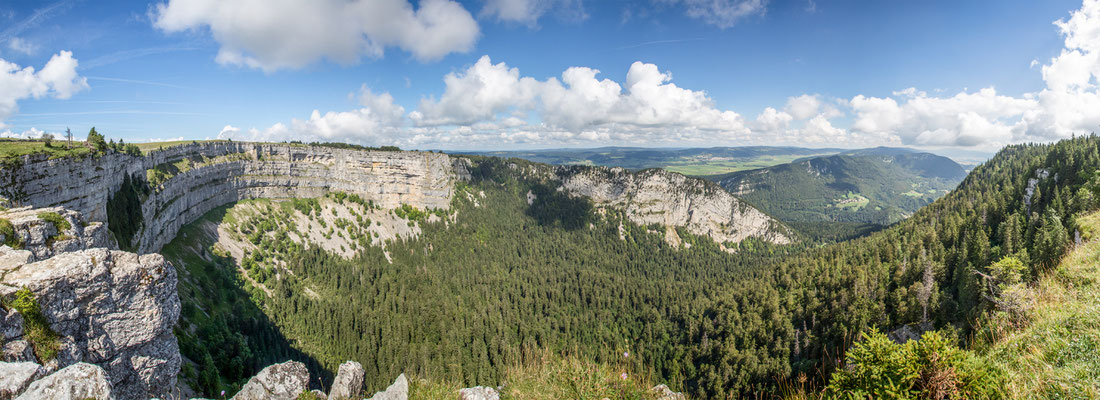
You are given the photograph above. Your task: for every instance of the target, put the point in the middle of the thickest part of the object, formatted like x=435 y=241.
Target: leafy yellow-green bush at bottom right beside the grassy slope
x=930 y=369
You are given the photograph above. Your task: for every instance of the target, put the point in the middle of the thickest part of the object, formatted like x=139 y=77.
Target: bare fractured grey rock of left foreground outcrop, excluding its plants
x=109 y=308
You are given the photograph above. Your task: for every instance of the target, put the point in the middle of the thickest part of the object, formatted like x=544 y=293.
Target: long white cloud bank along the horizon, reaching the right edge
x=494 y=106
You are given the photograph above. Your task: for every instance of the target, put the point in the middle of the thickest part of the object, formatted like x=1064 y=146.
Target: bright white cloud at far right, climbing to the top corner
x=1070 y=104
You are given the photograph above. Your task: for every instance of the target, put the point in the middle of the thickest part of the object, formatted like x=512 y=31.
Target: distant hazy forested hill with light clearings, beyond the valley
x=878 y=186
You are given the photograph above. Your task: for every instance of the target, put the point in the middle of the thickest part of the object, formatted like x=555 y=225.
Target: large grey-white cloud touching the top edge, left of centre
x=274 y=35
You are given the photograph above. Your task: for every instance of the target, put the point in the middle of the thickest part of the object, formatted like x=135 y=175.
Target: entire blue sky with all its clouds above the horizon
x=711 y=73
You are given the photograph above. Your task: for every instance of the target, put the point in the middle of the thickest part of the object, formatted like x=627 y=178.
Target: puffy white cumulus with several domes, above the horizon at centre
x=579 y=103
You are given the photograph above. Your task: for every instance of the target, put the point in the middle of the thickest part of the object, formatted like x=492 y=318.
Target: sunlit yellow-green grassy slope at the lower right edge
x=1057 y=355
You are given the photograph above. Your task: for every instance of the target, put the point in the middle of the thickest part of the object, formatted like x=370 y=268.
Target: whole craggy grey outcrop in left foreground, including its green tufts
x=113 y=310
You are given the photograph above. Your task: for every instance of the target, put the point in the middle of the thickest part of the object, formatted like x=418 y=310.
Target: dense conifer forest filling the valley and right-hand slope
x=466 y=298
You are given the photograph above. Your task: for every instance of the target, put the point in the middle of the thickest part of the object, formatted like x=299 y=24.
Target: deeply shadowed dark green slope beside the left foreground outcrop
x=223 y=331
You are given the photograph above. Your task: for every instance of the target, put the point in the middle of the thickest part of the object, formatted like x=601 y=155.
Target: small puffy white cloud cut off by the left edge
x=58 y=80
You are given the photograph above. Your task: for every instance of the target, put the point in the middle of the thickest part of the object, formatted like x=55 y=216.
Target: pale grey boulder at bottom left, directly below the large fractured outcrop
x=78 y=382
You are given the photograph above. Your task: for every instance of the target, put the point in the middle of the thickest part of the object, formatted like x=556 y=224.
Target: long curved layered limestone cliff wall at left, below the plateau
x=225 y=172
